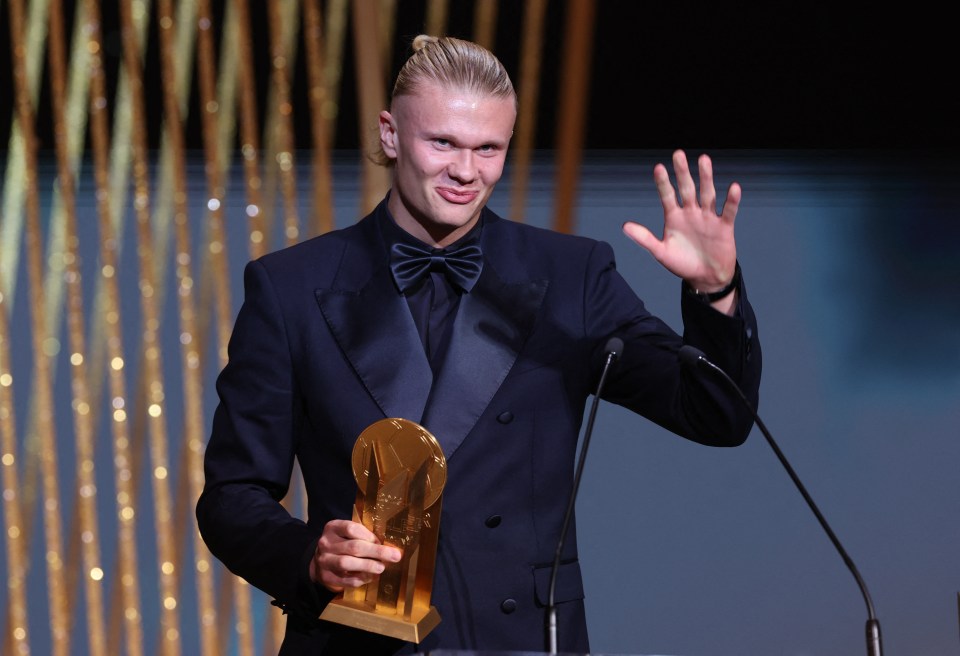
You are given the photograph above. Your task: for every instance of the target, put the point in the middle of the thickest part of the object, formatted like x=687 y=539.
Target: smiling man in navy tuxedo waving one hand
x=490 y=334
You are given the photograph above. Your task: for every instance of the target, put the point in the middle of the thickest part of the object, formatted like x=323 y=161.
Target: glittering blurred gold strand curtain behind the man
x=171 y=159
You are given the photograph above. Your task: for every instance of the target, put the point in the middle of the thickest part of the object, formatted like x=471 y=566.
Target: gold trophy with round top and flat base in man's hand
x=400 y=472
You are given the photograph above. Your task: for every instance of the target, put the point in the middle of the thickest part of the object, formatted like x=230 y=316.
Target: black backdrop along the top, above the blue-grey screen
x=723 y=75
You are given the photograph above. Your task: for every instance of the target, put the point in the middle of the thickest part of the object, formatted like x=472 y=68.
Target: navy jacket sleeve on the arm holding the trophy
x=249 y=457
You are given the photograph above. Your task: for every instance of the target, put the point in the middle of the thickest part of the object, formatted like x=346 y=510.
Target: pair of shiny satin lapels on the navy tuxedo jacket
x=373 y=327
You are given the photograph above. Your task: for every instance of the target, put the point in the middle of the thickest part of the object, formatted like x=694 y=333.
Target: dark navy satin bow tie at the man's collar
x=410 y=264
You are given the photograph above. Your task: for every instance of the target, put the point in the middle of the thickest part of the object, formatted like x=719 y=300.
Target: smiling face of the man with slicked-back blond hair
x=449 y=148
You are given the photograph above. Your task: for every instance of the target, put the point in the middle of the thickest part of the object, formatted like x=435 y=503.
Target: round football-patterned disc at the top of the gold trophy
x=402 y=444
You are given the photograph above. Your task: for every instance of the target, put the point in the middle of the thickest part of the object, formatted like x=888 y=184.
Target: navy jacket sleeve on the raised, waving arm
x=649 y=378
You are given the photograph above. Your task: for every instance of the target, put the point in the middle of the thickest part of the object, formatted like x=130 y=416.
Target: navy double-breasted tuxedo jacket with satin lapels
x=325 y=345
